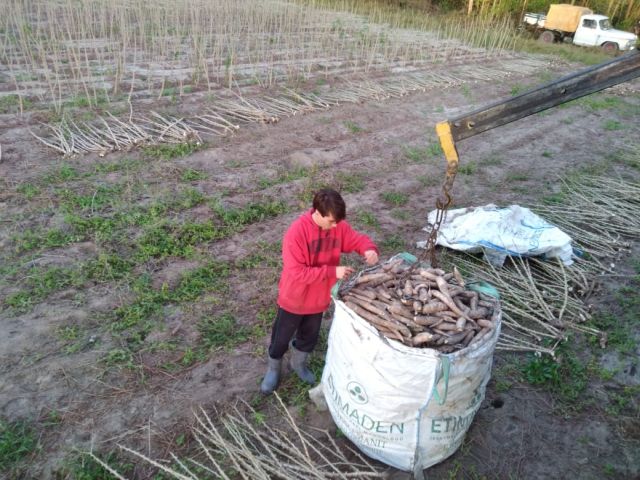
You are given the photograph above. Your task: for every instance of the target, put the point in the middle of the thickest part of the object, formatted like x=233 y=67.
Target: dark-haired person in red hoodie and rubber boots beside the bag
x=311 y=256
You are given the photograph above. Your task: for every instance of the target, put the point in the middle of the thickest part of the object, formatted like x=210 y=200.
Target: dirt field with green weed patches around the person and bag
x=116 y=327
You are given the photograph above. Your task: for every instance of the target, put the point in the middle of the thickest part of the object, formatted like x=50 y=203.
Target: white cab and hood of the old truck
x=596 y=31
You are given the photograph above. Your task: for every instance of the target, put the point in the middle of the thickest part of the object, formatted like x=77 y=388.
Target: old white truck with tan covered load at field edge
x=580 y=26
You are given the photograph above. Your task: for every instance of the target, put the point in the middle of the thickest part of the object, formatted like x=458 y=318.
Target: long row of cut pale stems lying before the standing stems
x=227 y=113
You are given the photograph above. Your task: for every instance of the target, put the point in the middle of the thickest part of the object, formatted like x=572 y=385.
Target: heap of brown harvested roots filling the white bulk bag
x=422 y=307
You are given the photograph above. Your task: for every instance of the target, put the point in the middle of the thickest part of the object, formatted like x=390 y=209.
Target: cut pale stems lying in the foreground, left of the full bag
x=233 y=446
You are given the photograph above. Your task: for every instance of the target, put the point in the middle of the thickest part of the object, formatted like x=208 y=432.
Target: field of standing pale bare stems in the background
x=161 y=48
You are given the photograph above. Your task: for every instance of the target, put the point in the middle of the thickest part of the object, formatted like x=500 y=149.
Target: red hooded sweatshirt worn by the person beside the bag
x=310 y=256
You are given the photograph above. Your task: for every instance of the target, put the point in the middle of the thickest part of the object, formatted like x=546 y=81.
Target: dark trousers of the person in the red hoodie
x=306 y=329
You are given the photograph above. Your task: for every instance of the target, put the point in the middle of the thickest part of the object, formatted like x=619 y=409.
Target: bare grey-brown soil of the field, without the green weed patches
x=518 y=433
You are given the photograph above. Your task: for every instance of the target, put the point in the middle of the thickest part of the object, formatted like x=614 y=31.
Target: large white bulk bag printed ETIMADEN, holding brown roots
x=407 y=407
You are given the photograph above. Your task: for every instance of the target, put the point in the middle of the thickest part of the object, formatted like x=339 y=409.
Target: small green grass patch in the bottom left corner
x=18 y=440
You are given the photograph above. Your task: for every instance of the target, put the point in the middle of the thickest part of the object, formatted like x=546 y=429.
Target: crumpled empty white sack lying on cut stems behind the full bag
x=499 y=232
